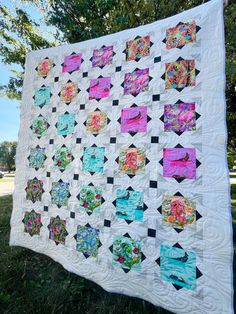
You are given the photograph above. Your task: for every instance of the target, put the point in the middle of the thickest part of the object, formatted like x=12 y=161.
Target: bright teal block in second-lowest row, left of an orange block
x=129 y=205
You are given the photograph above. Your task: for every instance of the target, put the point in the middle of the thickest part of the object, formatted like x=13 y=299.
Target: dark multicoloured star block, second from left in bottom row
x=57 y=230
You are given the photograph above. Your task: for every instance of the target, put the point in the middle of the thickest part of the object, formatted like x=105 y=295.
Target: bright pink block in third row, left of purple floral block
x=134 y=119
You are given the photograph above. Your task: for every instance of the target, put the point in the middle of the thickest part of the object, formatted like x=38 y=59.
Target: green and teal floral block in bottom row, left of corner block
x=127 y=253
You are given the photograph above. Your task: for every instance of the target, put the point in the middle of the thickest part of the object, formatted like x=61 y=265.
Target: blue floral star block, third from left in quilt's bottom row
x=87 y=240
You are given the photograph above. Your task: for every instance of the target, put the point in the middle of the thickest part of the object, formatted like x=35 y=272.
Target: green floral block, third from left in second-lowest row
x=90 y=199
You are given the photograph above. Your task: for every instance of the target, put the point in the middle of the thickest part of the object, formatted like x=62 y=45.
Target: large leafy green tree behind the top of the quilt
x=78 y=20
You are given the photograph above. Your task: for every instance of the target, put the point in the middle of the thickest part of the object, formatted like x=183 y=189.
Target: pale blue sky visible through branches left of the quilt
x=10 y=109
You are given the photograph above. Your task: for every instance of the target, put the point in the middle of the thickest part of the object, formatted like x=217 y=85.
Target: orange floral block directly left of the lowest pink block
x=131 y=160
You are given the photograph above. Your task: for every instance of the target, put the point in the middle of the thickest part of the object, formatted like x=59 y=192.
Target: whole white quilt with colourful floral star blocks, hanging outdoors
x=121 y=162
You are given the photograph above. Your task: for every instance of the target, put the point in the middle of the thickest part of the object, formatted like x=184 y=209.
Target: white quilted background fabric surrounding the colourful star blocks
x=210 y=239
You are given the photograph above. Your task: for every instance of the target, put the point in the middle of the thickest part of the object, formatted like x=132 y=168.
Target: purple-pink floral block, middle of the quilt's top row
x=102 y=57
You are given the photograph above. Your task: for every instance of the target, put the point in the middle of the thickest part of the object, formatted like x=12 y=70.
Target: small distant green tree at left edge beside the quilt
x=7 y=154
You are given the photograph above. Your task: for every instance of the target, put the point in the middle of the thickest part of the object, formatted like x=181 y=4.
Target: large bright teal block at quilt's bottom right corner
x=178 y=266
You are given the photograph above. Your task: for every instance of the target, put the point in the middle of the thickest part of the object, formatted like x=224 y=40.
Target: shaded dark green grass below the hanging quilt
x=32 y=283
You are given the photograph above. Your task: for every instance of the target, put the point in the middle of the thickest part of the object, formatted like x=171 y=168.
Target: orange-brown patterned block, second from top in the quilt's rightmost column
x=180 y=74
